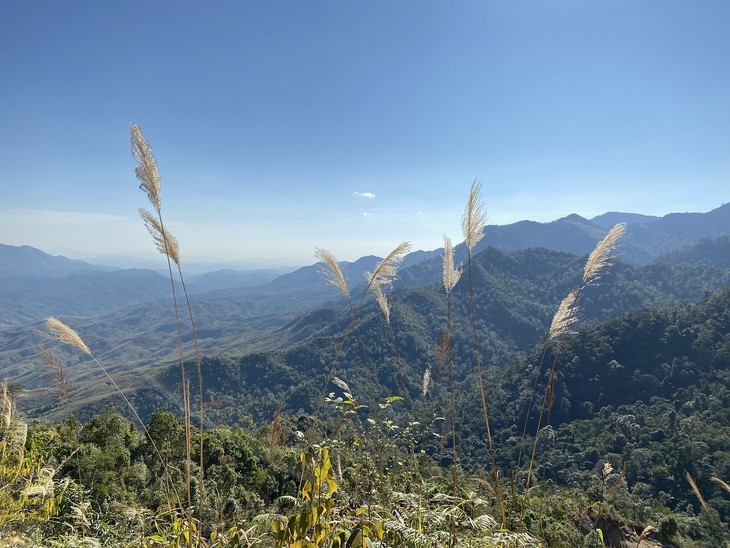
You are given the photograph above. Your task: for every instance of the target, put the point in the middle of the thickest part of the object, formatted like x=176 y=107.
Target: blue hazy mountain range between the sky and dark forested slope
x=126 y=315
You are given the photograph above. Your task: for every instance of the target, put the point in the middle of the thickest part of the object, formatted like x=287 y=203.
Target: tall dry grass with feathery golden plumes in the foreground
x=349 y=493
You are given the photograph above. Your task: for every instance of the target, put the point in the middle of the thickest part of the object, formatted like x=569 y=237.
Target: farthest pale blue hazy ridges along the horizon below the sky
x=30 y=293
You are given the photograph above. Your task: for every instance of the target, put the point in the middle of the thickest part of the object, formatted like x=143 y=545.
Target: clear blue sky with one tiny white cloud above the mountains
x=354 y=125
